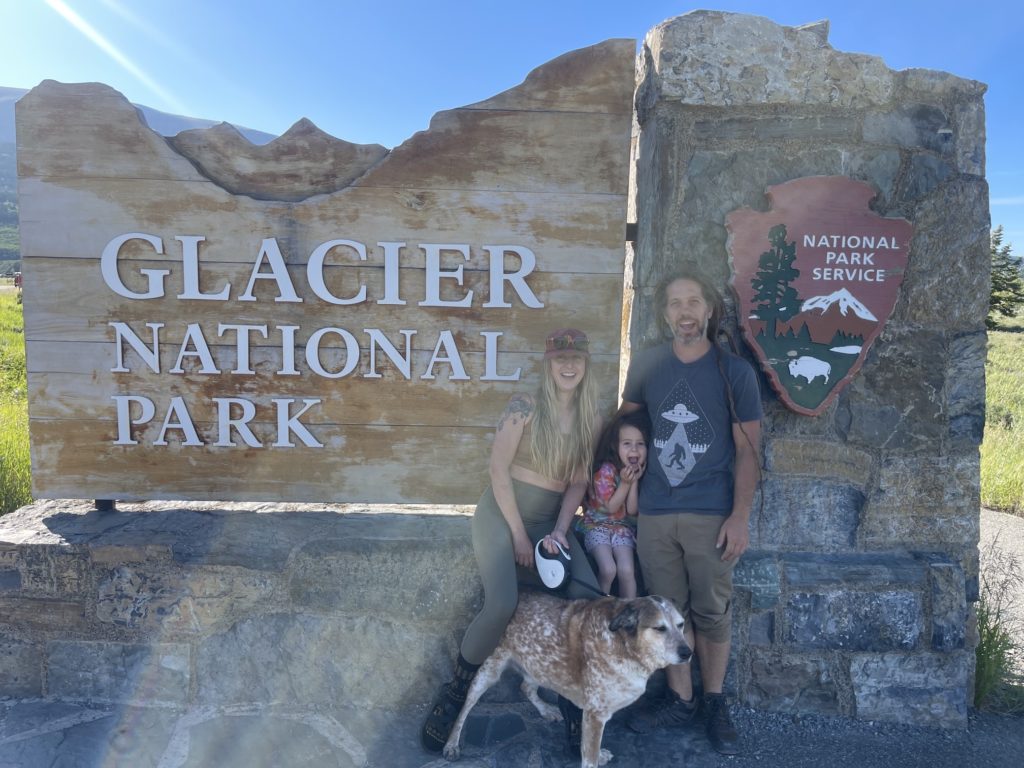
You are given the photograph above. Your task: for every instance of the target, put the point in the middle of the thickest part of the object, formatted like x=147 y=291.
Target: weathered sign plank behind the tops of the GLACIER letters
x=567 y=233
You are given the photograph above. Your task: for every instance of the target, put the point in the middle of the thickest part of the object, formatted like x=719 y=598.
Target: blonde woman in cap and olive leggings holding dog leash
x=540 y=467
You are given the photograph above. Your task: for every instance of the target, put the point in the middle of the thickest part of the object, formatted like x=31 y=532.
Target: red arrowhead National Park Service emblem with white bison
x=817 y=278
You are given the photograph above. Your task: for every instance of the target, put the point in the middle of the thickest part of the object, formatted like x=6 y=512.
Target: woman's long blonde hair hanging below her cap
x=565 y=457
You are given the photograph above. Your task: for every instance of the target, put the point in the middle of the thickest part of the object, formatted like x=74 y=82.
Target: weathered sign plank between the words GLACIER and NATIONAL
x=70 y=302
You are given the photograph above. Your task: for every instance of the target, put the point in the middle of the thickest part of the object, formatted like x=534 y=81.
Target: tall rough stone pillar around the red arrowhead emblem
x=856 y=598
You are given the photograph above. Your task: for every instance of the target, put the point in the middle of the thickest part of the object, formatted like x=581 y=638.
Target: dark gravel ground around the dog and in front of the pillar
x=769 y=741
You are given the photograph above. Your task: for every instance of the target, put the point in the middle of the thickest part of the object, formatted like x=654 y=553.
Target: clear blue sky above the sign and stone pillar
x=375 y=72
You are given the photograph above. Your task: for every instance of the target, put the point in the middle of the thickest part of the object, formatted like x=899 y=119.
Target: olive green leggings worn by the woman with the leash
x=499 y=573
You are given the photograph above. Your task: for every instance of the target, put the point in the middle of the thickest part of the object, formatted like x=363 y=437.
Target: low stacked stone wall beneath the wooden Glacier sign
x=182 y=606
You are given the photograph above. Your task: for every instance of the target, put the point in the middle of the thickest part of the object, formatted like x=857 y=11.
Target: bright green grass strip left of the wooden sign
x=15 y=473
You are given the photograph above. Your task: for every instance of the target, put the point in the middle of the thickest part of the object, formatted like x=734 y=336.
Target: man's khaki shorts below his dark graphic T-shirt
x=680 y=562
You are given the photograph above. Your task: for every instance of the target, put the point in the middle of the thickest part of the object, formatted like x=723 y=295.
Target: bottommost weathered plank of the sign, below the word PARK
x=358 y=464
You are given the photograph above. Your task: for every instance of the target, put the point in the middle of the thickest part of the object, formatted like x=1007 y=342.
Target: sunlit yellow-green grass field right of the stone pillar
x=1003 y=449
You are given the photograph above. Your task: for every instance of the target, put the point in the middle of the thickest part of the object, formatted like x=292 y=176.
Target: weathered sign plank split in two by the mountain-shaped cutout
x=460 y=151
